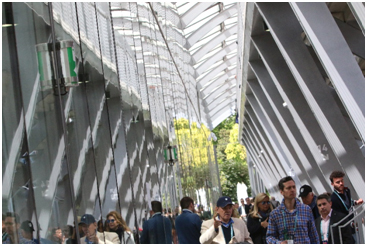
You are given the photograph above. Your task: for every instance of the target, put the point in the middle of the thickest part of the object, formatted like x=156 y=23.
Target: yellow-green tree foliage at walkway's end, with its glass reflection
x=193 y=153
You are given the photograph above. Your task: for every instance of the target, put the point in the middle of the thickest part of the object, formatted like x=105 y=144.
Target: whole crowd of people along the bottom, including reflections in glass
x=261 y=220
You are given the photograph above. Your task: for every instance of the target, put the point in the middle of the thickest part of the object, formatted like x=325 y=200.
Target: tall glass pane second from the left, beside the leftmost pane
x=44 y=122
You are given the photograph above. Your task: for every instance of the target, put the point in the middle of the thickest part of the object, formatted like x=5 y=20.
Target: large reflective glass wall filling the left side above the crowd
x=90 y=104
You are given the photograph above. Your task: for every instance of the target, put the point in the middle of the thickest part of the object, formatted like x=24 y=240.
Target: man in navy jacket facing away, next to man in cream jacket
x=188 y=224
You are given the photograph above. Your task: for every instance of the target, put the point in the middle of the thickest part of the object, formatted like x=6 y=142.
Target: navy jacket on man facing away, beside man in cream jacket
x=188 y=227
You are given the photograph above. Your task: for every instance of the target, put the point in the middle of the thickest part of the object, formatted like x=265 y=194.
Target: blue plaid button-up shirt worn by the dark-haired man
x=304 y=232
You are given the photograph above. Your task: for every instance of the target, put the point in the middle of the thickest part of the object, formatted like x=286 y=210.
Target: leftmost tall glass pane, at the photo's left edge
x=17 y=189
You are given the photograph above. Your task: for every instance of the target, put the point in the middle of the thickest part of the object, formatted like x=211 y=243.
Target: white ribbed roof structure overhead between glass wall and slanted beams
x=200 y=49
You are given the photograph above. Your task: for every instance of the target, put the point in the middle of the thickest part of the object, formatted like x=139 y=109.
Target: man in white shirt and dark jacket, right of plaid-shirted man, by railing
x=329 y=217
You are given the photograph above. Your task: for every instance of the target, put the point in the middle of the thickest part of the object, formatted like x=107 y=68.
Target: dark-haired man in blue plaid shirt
x=292 y=221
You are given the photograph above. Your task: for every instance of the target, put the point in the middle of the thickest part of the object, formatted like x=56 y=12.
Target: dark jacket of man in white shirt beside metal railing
x=346 y=231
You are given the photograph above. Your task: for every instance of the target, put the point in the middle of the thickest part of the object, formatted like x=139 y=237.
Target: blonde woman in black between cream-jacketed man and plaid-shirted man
x=257 y=221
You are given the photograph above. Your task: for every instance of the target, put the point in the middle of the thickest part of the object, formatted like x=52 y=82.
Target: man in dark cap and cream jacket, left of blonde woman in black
x=224 y=228
